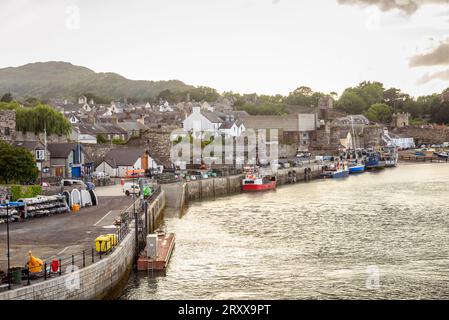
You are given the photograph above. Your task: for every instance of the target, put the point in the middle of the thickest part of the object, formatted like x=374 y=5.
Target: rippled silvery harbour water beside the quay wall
x=380 y=235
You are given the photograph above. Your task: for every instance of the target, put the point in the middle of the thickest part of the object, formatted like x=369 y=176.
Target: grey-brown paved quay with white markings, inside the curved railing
x=65 y=234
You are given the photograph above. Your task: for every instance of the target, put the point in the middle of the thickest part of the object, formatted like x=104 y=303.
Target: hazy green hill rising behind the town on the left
x=56 y=79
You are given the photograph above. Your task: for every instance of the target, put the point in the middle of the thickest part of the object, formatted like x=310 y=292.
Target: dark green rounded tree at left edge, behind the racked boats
x=18 y=164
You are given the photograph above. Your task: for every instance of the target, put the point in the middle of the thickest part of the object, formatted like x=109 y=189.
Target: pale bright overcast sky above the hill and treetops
x=245 y=46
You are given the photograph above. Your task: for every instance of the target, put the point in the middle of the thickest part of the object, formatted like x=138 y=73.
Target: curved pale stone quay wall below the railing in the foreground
x=96 y=281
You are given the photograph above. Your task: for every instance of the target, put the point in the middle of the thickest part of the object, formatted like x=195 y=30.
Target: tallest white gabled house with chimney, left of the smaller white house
x=202 y=121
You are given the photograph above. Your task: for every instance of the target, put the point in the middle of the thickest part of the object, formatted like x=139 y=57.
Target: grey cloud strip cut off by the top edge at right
x=407 y=6
